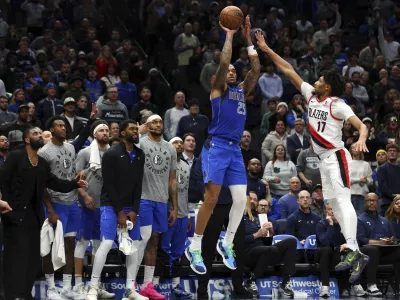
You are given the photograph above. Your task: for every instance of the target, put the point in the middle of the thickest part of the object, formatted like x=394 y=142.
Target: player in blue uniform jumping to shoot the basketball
x=222 y=160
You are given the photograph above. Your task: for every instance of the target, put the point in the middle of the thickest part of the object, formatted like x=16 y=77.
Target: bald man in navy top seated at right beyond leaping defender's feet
x=374 y=230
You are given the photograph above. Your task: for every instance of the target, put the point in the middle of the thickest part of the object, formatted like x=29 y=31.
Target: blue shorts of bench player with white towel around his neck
x=90 y=224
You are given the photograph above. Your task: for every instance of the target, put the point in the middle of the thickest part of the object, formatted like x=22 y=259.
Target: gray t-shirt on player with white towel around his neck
x=94 y=178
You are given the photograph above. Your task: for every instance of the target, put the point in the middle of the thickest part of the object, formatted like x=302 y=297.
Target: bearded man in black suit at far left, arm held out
x=23 y=178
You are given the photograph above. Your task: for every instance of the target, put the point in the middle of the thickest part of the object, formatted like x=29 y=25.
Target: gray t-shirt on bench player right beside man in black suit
x=62 y=164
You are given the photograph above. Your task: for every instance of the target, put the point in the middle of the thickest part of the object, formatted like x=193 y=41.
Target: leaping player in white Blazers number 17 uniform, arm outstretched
x=326 y=114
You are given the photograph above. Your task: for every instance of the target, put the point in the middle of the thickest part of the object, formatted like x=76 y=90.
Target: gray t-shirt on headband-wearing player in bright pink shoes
x=160 y=159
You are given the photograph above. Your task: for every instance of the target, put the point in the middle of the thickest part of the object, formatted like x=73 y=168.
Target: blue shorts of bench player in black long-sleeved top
x=109 y=223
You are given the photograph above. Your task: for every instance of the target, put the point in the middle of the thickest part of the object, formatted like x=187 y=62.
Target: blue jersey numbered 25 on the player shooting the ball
x=229 y=115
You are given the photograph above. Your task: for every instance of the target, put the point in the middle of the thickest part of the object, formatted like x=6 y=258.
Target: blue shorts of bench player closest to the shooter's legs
x=173 y=241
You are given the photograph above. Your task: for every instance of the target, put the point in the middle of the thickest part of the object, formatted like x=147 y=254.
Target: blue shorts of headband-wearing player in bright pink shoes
x=154 y=214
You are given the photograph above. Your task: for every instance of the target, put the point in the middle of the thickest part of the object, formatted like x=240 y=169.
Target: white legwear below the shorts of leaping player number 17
x=347 y=219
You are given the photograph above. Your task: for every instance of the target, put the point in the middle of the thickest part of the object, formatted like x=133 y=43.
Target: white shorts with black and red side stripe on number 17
x=335 y=175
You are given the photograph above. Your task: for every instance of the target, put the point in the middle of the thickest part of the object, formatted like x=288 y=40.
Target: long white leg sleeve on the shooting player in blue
x=236 y=213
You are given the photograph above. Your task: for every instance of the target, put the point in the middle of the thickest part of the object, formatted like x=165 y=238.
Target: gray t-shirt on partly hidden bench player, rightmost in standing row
x=182 y=181
